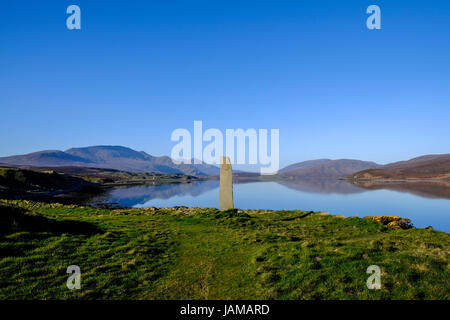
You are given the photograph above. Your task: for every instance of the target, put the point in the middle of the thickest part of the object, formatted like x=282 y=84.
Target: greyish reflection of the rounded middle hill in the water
x=322 y=186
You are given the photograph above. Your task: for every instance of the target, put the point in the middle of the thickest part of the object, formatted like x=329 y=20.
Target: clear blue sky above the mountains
x=137 y=70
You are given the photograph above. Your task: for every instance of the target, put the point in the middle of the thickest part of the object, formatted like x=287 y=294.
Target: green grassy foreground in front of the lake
x=199 y=253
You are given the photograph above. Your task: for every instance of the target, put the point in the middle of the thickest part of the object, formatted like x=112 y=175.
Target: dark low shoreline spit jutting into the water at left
x=74 y=184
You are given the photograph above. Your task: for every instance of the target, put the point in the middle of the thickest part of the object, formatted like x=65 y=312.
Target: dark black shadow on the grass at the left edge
x=14 y=219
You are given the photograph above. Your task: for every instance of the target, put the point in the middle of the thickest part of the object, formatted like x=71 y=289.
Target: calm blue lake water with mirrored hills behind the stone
x=424 y=208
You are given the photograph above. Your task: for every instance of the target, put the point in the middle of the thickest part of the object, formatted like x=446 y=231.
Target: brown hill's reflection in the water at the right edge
x=426 y=189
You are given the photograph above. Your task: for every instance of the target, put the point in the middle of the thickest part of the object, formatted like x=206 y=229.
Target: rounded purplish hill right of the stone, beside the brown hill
x=326 y=168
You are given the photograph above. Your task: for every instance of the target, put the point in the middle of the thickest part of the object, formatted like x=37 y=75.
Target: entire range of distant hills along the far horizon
x=126 y=159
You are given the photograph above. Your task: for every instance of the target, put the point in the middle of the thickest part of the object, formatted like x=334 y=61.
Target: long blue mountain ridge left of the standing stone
x=110 y=157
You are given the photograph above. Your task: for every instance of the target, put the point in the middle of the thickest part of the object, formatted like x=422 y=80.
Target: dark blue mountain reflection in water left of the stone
x=131 y=196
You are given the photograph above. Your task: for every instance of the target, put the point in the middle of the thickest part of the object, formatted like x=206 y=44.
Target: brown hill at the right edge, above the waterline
x=435 y=166
